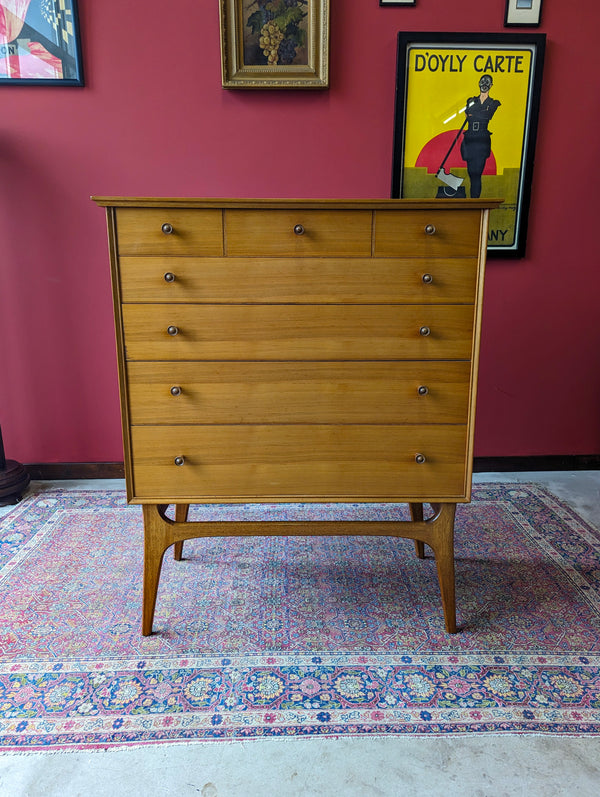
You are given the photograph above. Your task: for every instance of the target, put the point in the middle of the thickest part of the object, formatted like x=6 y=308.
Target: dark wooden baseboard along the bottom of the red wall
x=53 y=471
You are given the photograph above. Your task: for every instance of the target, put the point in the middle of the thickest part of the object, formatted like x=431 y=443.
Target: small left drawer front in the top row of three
x=176 y=231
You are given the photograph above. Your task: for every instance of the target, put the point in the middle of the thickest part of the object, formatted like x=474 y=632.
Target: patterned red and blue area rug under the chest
x=293 y=636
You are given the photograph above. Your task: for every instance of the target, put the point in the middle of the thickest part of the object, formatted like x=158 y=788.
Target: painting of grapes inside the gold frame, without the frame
x=275 y=32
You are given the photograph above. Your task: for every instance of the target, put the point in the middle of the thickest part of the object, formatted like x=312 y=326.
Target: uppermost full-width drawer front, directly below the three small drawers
x=293 y=280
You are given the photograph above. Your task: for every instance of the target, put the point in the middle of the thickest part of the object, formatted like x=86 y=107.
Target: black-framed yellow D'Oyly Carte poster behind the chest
x=466 y=121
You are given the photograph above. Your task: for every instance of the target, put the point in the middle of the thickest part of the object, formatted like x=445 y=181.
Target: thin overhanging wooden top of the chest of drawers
x=319 y=204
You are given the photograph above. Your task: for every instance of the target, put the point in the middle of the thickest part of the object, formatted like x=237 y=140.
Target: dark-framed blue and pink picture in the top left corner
x=40 y=43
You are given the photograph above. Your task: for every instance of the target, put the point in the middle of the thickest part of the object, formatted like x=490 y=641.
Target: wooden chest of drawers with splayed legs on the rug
x=296 y=350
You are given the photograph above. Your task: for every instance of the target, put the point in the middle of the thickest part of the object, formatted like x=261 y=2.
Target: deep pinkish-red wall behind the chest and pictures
x=154 y=120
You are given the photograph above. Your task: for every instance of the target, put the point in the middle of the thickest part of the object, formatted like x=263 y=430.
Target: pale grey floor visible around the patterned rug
x=490 y=766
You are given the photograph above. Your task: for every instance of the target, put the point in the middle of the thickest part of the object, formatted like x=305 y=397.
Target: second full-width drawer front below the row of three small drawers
x=297 y=332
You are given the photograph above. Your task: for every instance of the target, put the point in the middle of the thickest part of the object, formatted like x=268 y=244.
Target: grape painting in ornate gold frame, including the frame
x=274 y=44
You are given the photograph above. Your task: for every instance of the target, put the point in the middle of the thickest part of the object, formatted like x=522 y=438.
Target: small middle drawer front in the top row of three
x=298 y=233
